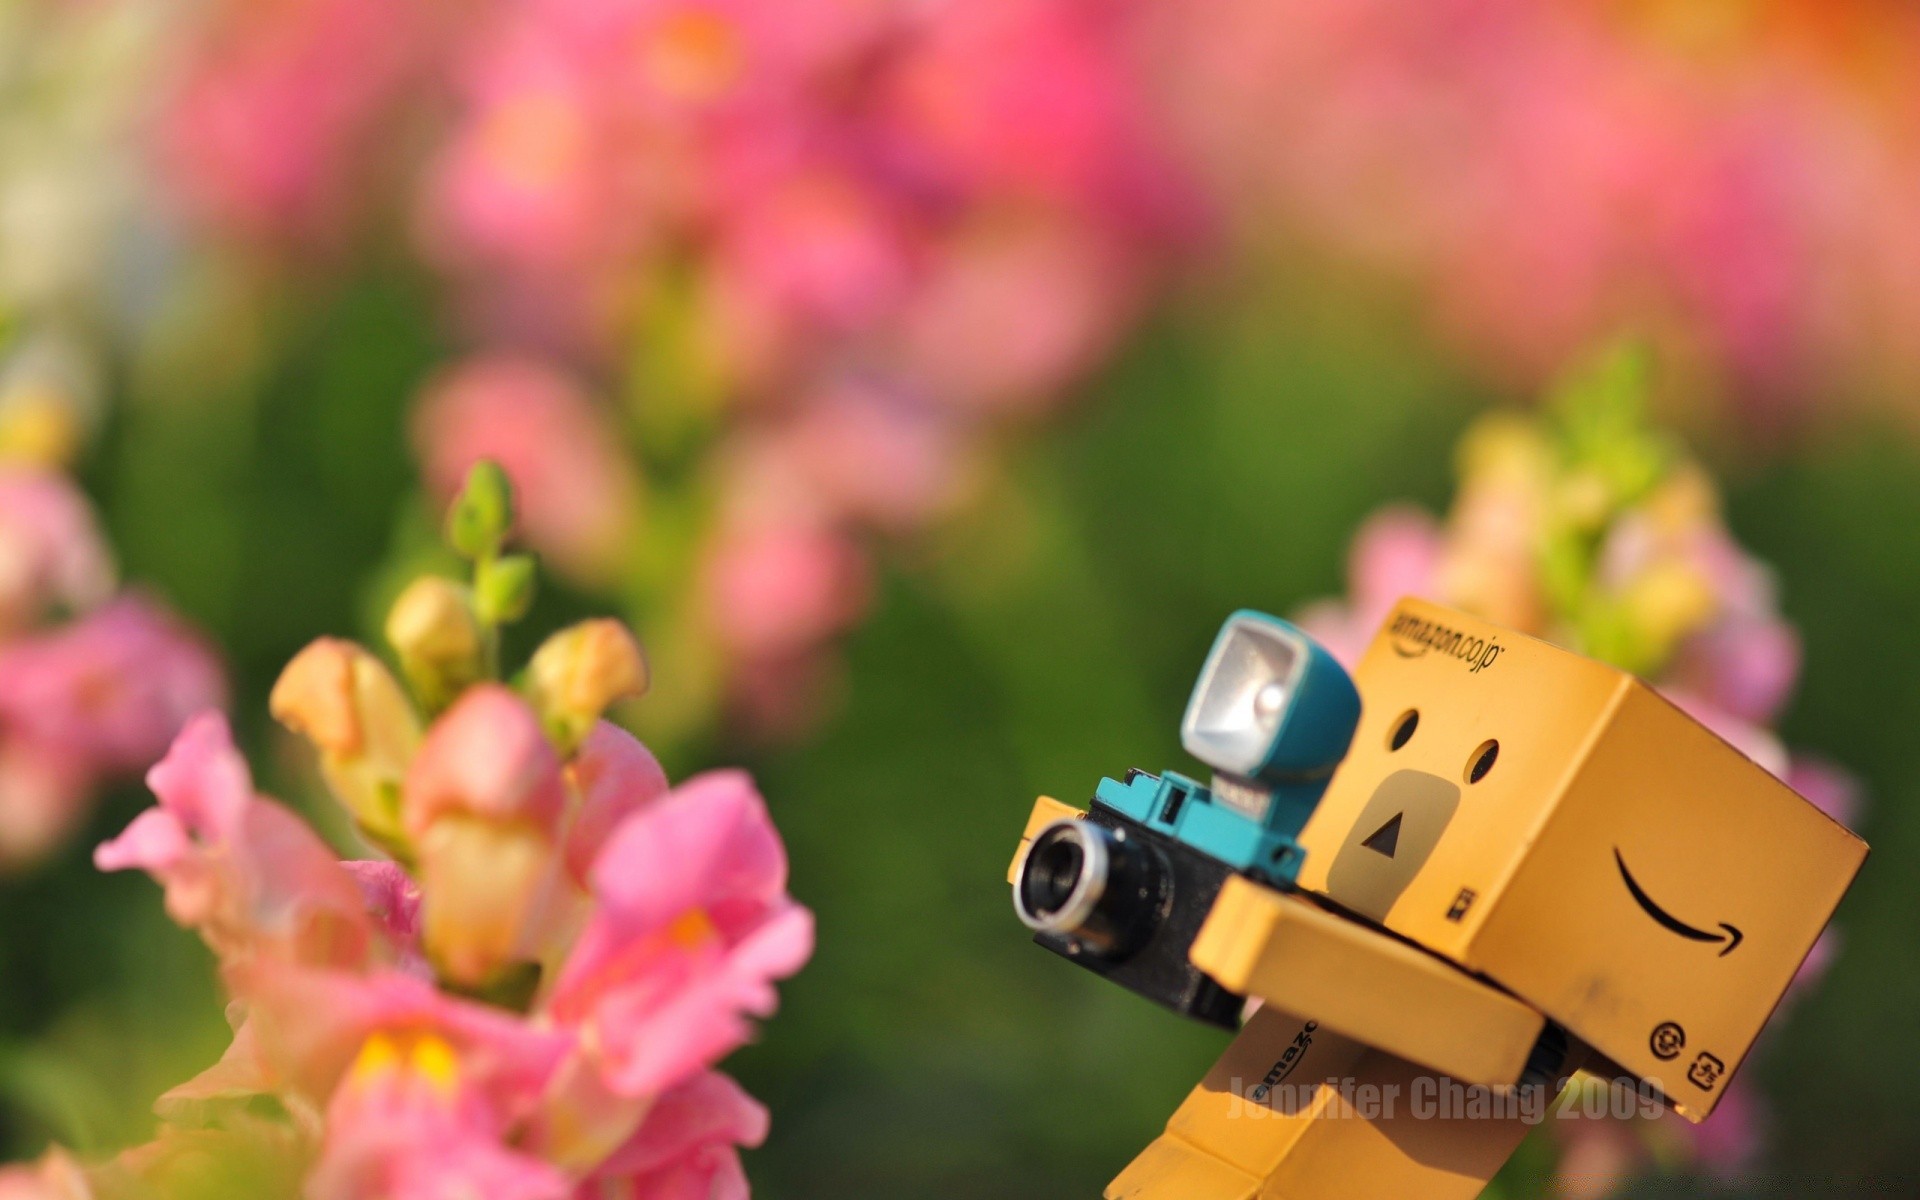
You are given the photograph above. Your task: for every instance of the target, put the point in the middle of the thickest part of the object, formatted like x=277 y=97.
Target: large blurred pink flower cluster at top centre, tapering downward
x=767 y=274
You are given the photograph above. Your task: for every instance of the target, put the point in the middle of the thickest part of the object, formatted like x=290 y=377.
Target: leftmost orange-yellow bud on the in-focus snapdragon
x=350 y=708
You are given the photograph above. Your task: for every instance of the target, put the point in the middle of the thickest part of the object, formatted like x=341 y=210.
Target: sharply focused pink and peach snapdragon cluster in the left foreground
x=527 y=997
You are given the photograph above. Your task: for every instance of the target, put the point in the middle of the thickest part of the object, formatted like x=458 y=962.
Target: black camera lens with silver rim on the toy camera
x=1090 y=884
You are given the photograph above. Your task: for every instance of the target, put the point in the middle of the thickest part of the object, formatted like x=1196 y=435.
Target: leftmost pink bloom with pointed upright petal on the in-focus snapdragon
x=243 y=871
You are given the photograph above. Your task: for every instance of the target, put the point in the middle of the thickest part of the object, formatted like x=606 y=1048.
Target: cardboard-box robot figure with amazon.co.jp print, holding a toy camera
x=1481 y=863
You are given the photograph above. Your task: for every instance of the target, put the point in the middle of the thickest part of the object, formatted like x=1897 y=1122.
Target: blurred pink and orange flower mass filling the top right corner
x=1737 y=181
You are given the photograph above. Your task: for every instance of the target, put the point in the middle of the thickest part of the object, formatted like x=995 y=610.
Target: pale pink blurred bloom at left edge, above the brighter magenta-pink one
x=51 y=550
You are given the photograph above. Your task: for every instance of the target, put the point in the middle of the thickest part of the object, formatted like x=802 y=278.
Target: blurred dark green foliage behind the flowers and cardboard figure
x=1042 y=642
